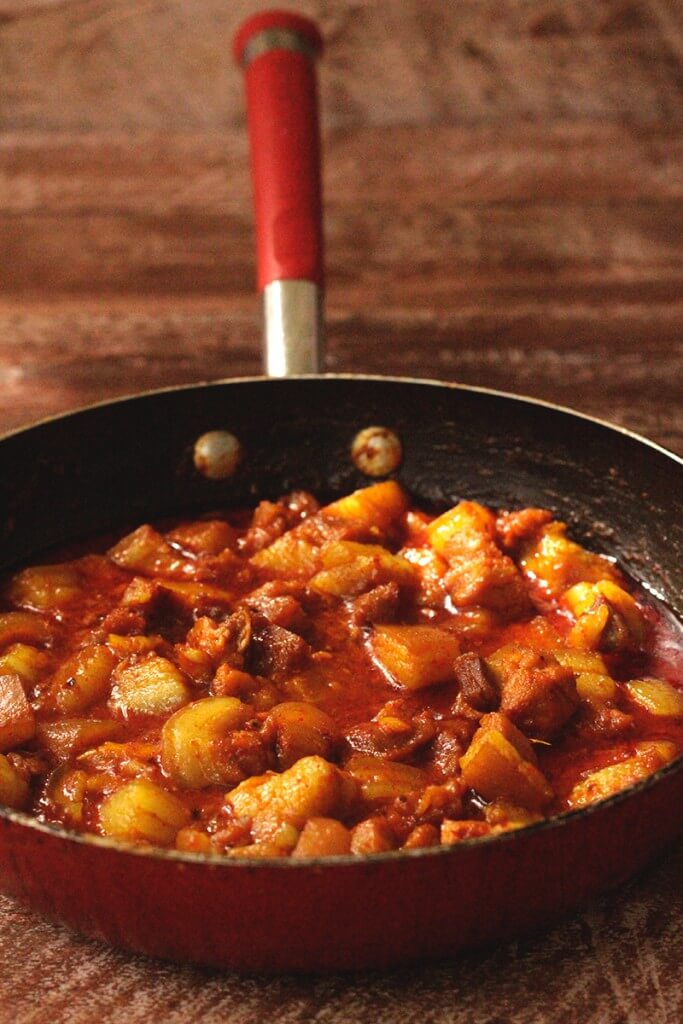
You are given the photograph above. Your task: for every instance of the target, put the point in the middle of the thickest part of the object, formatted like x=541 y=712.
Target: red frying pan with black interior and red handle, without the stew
x=129 y=461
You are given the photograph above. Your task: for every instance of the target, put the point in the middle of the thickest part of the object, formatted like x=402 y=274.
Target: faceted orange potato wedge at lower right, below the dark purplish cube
x=499 y=765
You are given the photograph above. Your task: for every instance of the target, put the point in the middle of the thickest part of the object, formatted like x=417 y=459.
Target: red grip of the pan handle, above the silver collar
x=282 y=115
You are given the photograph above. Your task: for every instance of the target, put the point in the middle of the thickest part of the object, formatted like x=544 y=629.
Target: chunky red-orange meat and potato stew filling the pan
x=309 y=681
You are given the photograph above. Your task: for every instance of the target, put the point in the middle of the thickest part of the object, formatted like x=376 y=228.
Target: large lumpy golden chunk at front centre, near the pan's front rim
x=312 y=788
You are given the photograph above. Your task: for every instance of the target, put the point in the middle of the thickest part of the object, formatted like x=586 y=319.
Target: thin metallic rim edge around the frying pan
x=222 y=863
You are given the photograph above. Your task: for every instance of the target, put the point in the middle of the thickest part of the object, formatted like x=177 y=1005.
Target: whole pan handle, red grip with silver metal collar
x=278 y=52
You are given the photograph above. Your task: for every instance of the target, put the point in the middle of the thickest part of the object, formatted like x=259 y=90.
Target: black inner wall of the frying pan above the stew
x=132 y=461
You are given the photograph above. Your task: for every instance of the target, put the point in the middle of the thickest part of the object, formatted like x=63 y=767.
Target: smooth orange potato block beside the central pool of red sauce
x=415 y=656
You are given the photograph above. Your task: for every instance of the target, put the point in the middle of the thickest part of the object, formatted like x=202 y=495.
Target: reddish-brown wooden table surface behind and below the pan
x=504 y=185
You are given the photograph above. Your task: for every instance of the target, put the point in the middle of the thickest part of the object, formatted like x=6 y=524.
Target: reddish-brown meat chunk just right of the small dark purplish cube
x=537 y=693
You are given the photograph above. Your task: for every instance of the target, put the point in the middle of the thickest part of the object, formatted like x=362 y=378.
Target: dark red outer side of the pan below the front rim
x=359 y=914
